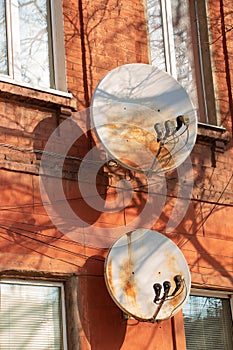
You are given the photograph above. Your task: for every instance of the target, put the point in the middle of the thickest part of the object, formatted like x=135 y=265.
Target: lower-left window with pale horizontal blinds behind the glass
x=31 y=316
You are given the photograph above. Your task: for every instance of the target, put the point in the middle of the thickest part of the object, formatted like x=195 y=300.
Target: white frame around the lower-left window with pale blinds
x=47 y=284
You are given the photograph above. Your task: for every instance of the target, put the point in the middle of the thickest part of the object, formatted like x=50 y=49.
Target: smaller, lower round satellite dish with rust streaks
x=147 y=275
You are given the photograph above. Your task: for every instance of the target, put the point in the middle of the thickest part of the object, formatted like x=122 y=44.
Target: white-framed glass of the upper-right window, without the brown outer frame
x=170 y=41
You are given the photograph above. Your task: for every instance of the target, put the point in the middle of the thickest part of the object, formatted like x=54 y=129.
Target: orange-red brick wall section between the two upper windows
x=100 y=36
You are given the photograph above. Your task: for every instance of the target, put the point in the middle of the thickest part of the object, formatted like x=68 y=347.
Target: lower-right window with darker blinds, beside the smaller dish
x=208 y=322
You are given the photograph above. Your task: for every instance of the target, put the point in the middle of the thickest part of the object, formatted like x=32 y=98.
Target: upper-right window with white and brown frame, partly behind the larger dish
x=180 y=44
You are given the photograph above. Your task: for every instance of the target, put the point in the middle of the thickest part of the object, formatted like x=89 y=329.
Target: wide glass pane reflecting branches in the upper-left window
x=34 y=42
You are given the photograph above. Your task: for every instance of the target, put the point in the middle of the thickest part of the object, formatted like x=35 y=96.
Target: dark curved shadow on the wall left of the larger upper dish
x=64 y=146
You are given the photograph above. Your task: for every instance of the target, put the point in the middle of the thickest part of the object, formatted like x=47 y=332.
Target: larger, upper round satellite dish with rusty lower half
x=144 y=118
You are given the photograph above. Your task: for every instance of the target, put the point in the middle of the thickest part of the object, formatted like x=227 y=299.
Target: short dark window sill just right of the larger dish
x=219 y=137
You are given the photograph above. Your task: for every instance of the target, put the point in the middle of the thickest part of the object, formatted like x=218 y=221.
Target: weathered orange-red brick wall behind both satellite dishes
x=100 y=36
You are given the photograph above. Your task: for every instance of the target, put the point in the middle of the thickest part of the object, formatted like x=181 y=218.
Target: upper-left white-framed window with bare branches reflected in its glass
x=32 y=48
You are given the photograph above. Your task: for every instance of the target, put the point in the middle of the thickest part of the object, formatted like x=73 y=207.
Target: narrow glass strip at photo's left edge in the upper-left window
x=3 y=46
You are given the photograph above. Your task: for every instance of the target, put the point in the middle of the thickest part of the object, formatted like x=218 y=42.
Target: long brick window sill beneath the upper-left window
x=48 y=98
